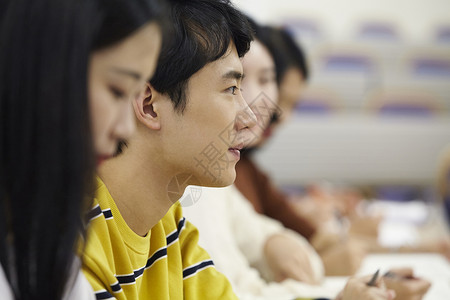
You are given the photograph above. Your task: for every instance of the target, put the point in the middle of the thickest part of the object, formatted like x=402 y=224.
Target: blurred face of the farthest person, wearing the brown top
x=291 y=88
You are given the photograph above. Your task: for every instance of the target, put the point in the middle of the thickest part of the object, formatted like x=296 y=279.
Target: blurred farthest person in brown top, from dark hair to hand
x=340 y=256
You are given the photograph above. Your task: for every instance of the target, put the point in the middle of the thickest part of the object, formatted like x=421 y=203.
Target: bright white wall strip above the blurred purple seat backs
x=416 y=17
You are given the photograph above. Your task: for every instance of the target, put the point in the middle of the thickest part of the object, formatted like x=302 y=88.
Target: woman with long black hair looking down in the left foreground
x=68 y=71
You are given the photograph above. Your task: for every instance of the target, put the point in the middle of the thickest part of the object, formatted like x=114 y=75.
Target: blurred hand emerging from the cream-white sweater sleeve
x=288 y=258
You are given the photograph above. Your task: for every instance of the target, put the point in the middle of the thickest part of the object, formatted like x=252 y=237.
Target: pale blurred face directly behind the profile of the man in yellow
x=259 y=88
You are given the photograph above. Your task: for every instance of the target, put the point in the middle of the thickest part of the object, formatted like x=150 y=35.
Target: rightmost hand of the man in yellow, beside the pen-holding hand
x=405 y=285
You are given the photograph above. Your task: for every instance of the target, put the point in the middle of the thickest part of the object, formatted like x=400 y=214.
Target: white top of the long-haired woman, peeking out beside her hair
x=81 y=289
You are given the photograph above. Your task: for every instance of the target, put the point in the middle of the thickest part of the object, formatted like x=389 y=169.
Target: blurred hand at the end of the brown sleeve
x=343 y=259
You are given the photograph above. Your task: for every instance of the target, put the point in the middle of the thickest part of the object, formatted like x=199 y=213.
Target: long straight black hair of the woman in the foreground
x=46 y=153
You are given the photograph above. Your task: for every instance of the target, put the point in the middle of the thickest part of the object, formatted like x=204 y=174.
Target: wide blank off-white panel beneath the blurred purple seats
x=356 y=149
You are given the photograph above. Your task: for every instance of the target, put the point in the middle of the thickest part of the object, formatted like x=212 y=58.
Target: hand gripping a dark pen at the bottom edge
x=357 y=289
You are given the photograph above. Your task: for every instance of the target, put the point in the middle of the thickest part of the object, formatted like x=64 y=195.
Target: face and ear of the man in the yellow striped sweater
x=205 y=140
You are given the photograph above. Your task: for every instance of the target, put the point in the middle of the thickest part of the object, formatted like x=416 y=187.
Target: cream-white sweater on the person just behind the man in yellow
x=234 y=235
